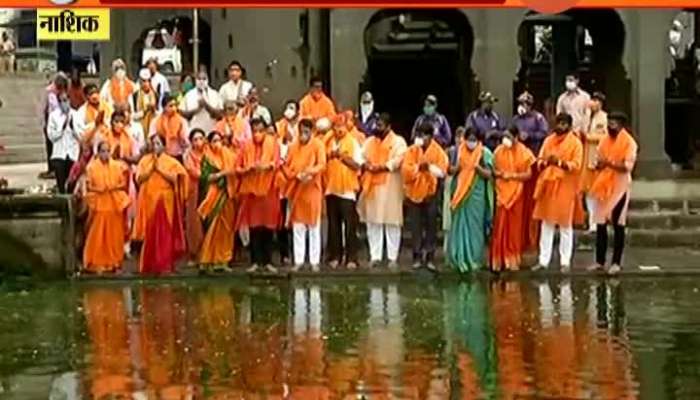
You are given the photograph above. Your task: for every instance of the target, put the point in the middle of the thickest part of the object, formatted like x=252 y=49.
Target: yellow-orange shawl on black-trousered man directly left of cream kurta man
x=339 y=177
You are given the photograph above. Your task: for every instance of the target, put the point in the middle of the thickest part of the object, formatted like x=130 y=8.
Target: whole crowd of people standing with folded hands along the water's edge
x=198 y=174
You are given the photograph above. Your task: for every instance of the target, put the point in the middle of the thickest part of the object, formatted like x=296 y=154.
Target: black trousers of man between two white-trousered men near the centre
x=341 y=212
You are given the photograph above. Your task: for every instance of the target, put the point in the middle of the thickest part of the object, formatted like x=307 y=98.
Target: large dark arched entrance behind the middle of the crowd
x=413 y=53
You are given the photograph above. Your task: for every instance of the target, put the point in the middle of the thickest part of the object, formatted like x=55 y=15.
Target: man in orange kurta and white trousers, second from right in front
x=556 y=193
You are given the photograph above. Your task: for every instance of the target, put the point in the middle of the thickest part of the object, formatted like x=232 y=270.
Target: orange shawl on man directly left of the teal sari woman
x=417 y=184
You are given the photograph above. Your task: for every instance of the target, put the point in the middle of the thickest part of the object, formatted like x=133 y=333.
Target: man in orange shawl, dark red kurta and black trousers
x=260 y=201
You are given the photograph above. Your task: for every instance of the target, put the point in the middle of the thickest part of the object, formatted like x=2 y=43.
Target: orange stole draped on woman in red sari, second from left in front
x=155 y=189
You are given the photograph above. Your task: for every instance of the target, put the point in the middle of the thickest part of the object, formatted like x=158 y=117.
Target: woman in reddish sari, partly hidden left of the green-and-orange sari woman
x=194 y=233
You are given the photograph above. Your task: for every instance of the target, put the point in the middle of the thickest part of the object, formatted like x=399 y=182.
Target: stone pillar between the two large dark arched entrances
x=496 y=59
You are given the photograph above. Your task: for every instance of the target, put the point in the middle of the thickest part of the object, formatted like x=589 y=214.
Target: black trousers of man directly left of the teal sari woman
x=423 y=223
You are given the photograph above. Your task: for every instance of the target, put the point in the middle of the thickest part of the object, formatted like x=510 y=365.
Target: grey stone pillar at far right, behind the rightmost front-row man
x=649 y=39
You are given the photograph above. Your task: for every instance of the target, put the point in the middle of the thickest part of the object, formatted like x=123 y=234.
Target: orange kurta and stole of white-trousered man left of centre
x=305 y=198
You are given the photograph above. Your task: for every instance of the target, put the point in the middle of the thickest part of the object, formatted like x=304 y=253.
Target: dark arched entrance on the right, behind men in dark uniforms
x=589 y=42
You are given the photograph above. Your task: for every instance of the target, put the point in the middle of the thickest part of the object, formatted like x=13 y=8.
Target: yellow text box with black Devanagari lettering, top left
x=72 y=24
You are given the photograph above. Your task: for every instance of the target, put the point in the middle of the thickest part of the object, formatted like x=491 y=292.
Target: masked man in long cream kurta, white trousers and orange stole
x=380 y=205
